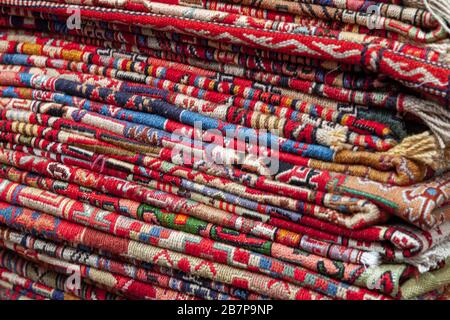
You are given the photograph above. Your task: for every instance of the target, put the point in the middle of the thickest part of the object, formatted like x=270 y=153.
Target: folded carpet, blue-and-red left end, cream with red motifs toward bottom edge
x=79 y=234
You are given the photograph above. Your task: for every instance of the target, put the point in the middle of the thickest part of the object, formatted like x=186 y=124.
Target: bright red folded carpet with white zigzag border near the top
x=259 y=39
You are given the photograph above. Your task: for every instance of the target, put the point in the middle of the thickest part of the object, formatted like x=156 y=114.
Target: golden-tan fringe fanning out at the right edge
x=423 y=148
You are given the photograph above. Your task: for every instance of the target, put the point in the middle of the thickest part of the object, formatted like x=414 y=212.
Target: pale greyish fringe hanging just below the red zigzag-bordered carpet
x=435 y=116
